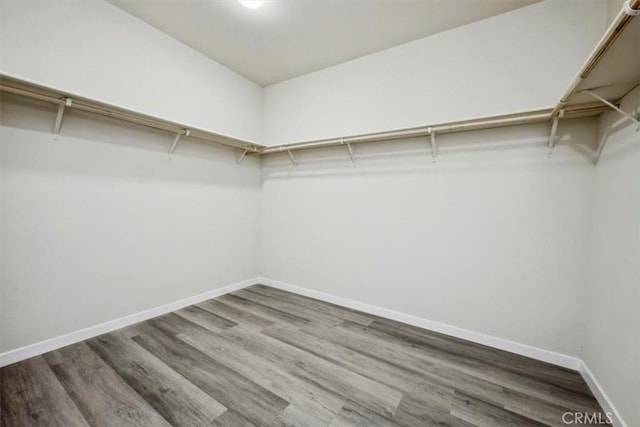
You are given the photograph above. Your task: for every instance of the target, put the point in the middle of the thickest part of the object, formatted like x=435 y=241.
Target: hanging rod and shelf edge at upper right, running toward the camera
x=630 y=10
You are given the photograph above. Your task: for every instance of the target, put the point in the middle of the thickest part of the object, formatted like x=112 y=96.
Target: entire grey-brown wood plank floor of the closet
x=265 y=357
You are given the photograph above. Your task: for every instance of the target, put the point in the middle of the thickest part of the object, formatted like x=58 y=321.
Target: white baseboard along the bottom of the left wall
x=36 y=349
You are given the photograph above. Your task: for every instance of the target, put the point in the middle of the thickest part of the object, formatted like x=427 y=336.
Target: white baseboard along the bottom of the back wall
x=559 y=359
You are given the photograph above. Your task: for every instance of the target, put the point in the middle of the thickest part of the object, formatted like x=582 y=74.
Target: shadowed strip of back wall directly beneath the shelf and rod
x=508 y=148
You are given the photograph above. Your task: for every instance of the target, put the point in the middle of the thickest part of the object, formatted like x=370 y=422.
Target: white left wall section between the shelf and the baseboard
x=99 y=222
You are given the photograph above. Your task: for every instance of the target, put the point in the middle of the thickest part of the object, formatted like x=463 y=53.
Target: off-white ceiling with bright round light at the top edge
x=288 y=38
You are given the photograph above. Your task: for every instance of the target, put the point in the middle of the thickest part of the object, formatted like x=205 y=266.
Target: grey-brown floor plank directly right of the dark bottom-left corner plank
x=102 y=396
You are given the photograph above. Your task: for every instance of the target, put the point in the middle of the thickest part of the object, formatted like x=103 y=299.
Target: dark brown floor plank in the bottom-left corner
x=30 y=394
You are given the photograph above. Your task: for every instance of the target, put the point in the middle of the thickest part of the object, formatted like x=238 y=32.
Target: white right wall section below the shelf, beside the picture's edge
x=612 y=308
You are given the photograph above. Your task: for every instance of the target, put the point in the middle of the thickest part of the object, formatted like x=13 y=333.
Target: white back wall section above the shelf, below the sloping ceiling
x=518 y=61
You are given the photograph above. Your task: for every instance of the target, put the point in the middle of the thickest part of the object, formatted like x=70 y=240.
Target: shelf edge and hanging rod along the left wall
x=115 y=113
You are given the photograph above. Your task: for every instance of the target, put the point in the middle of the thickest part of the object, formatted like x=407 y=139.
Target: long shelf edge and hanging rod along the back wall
x=462 y=126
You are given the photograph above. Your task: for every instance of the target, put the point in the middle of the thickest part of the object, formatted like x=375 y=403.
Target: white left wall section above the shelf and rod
x=91 y=48
